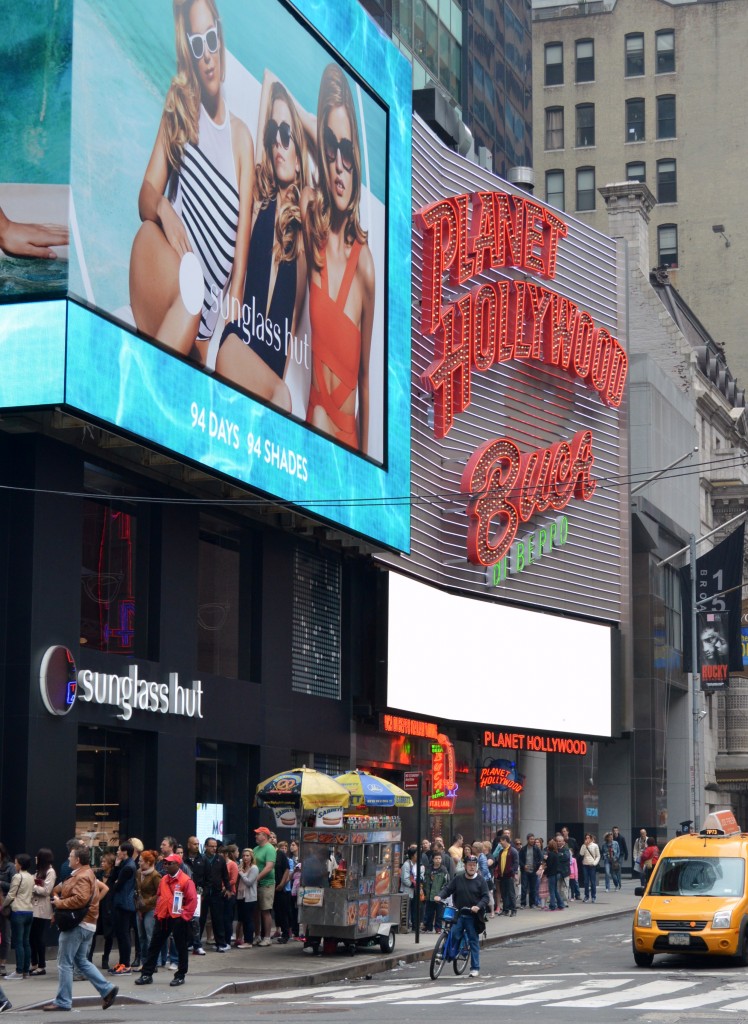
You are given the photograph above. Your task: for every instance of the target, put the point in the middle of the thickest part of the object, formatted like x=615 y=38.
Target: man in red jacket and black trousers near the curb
x=176 y=906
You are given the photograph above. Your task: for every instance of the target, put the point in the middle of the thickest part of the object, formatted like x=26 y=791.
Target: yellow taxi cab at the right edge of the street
x=695 y=901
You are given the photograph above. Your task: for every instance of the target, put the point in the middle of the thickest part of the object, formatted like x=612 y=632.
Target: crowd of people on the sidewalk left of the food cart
x=156 y=906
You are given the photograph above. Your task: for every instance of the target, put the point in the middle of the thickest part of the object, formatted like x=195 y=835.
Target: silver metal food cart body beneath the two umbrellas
x=350 y=884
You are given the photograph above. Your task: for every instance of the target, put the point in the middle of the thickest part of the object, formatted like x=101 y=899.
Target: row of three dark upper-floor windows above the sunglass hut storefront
x=116 y=585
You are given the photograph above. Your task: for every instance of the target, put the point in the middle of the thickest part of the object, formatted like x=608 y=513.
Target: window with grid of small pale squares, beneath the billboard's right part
x=316 y=629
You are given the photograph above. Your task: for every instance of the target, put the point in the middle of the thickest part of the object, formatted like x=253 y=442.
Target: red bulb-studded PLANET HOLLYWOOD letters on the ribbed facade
x=504 y=320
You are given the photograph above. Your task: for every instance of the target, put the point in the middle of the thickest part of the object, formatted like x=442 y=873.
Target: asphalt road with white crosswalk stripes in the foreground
x=585 y=971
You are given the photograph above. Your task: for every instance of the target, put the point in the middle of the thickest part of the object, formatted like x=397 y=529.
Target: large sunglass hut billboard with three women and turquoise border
x=239 y=214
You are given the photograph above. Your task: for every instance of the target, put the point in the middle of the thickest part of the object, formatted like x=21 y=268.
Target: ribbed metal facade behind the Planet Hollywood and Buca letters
x=535 y=407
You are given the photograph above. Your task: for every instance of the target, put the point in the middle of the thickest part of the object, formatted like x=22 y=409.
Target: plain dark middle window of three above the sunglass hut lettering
x=219 y=600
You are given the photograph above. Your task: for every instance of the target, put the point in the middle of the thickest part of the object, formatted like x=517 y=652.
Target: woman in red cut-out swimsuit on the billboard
x=342 y=273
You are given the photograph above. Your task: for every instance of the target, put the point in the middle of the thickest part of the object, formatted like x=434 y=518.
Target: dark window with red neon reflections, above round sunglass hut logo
x=108 y=579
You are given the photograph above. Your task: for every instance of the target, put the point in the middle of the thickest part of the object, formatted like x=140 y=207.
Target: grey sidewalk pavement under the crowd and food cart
x=277 y=967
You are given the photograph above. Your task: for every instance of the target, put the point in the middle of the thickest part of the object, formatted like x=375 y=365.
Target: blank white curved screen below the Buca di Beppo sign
x=470 y=661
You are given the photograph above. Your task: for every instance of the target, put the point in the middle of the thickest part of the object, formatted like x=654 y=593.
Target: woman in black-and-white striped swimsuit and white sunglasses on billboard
x=196 y=199
